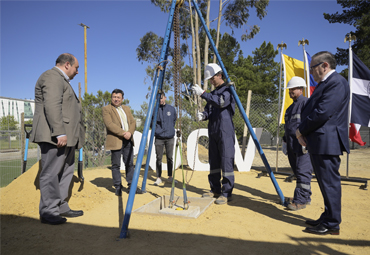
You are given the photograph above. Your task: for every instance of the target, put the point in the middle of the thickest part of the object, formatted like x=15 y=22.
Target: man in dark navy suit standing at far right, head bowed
x=324 y=130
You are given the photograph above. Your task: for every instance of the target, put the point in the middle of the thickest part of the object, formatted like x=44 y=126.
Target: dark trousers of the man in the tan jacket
x=127 y=152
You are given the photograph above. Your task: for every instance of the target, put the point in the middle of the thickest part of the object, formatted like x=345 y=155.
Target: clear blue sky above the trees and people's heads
x=35 y=33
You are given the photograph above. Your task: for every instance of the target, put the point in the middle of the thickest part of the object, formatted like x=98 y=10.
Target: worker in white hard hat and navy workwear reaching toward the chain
x=219 y=111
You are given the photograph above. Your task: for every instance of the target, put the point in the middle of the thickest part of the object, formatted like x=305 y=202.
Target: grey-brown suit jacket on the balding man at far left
x=57 y=111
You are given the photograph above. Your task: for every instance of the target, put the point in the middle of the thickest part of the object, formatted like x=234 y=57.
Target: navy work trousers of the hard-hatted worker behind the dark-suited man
x=302 y=169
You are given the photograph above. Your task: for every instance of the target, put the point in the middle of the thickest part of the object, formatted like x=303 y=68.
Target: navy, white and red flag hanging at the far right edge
x=360 y=115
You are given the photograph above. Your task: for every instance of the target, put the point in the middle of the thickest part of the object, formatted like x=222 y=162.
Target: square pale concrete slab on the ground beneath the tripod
x=160 y=206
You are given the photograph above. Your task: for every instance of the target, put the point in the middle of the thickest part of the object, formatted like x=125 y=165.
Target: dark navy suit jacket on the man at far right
x=325 y=117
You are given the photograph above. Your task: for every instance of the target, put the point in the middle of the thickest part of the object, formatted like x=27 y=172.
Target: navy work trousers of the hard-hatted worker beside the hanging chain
x=221 y=153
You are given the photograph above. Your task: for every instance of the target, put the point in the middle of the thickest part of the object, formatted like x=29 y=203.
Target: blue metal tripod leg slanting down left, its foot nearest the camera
x=130 y=200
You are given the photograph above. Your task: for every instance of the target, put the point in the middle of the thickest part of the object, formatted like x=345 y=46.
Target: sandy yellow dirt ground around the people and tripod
x=253 y=223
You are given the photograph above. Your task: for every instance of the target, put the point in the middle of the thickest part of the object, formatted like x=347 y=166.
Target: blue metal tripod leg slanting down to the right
x=241 y=109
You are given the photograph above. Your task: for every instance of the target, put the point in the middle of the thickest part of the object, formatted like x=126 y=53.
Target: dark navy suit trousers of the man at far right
x=326 y=169
